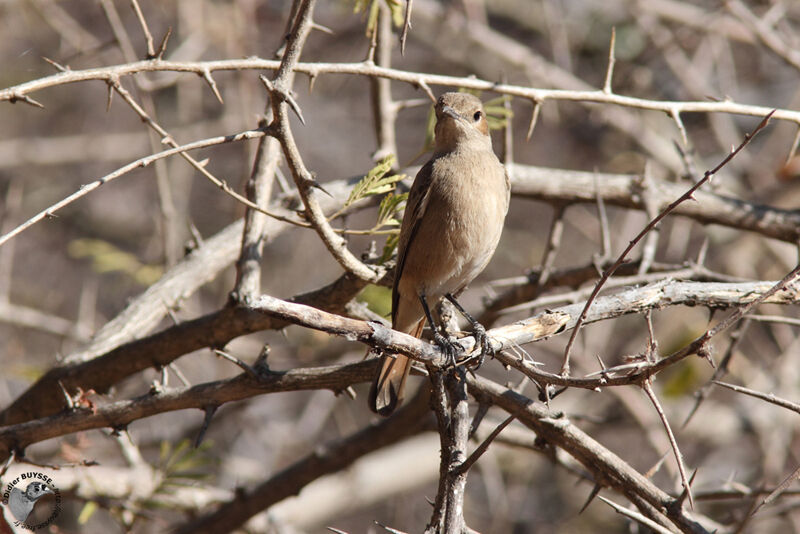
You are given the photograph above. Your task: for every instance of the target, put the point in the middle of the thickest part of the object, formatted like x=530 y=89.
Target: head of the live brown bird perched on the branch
x=460 y=118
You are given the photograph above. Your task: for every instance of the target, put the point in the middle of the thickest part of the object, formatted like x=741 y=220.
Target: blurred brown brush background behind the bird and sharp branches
x=80 y=268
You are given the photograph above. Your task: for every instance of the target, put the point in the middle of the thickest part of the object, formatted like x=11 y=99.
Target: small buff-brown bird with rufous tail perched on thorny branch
x=452 y=223
